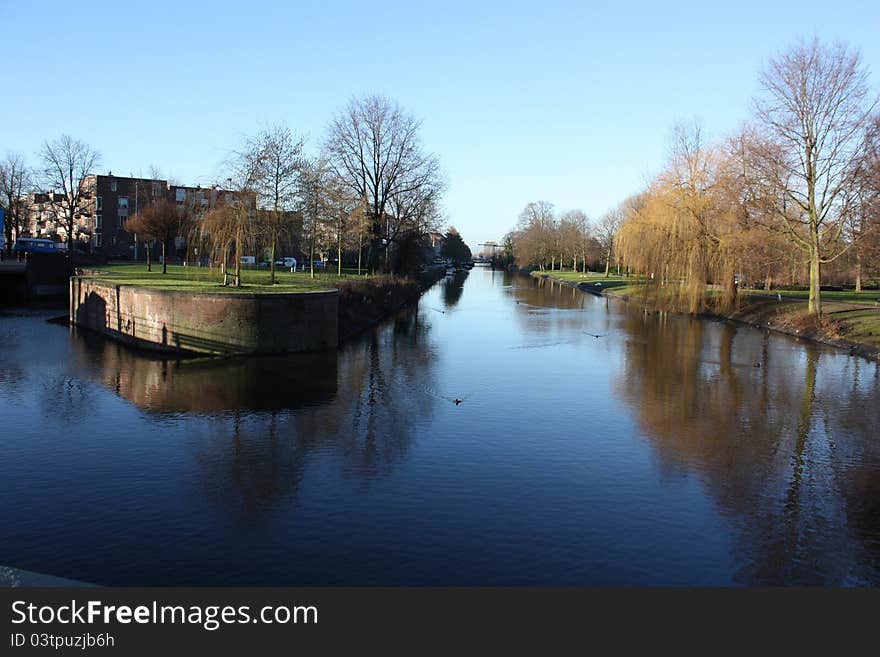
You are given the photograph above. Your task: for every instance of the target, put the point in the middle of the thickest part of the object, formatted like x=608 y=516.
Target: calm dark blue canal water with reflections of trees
x=656 y=454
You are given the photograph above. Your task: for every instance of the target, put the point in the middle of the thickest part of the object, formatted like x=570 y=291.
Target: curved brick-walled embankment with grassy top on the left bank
x=188 y=315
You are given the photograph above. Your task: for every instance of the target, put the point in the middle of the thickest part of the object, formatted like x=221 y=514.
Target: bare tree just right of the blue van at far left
x=66 y=162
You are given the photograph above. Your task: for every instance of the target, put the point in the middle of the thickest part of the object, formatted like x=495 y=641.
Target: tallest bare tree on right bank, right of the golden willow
x=815 y=106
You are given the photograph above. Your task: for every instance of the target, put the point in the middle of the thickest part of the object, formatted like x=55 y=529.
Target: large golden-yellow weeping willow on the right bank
x=682 y=237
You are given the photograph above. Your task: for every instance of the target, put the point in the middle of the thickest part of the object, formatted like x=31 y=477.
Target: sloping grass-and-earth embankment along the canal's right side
x=853 y=327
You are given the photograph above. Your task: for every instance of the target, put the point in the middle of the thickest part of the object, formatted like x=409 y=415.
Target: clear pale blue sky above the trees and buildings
x=569 y=102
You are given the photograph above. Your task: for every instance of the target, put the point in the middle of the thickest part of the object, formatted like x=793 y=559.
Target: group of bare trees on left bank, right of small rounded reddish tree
x=373 y=193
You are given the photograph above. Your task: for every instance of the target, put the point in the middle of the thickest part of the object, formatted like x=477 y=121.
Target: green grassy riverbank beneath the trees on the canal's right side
x=850 y=319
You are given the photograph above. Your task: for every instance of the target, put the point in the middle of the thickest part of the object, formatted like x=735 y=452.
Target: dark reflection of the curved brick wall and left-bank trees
x=266 y=414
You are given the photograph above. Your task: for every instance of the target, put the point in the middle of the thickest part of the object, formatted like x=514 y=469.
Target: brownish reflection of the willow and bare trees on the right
x=771 y=439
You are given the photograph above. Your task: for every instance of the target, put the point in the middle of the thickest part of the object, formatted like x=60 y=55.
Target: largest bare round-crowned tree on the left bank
x=374 y=147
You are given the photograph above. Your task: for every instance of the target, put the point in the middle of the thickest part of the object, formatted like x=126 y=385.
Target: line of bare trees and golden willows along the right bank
x=793 y=197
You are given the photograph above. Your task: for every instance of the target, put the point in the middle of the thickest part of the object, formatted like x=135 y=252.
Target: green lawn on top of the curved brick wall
x=205 y=279
